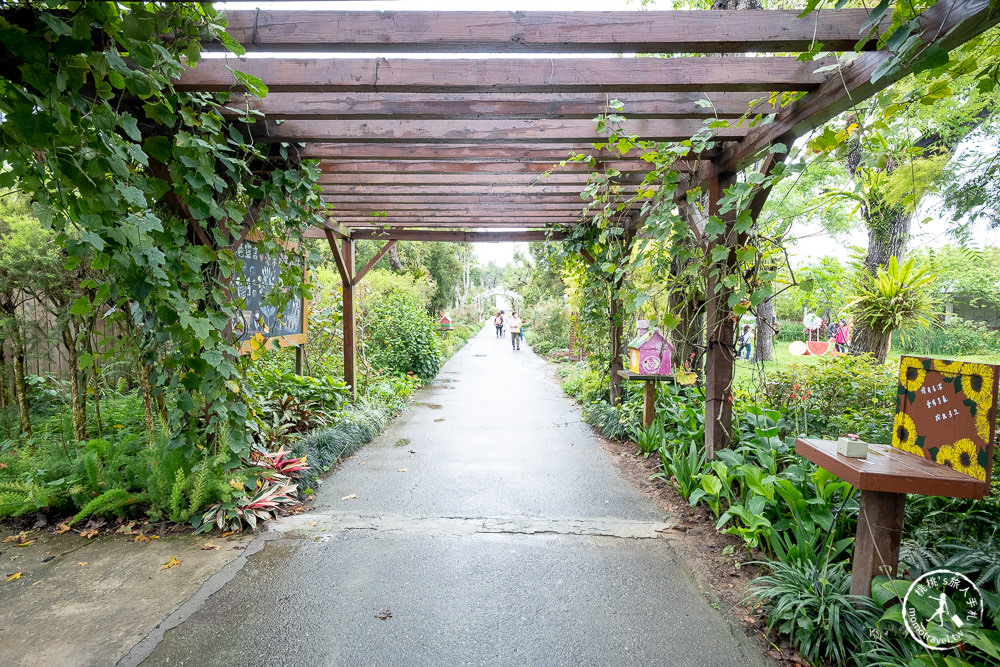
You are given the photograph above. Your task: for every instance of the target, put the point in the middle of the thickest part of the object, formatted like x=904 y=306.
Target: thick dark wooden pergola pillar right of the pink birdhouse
x=720 y=358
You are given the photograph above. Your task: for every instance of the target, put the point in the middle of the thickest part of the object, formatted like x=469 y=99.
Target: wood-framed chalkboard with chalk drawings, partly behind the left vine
x=260 y=275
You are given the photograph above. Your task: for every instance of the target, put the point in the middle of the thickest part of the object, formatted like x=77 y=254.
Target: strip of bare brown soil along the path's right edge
x=719 y=562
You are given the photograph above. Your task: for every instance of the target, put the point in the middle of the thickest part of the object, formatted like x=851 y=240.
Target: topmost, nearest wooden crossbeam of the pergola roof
x=545 y=32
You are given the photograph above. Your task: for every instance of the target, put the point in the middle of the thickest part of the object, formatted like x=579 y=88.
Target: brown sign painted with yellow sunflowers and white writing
x=946 y=412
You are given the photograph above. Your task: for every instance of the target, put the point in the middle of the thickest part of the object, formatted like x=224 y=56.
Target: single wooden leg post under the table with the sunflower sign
x=876 y=545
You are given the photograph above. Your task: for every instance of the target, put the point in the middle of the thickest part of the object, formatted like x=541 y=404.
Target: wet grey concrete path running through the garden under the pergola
x=486 y=527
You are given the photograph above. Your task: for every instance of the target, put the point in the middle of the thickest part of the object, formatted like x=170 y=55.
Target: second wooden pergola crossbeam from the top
x=535 y=75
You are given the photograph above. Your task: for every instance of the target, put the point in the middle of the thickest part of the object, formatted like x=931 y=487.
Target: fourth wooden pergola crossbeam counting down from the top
x=484 y=131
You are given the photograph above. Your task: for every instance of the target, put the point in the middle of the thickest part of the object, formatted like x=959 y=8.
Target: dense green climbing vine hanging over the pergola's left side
x=152 y=187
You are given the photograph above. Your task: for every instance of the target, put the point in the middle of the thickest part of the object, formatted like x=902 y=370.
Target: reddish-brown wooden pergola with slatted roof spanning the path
x=447 y=141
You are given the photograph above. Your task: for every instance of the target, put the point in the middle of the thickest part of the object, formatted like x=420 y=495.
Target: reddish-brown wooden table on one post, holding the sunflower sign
x=884 y=478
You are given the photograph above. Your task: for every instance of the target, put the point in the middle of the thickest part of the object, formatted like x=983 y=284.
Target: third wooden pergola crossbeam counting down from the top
x=509 y=106
